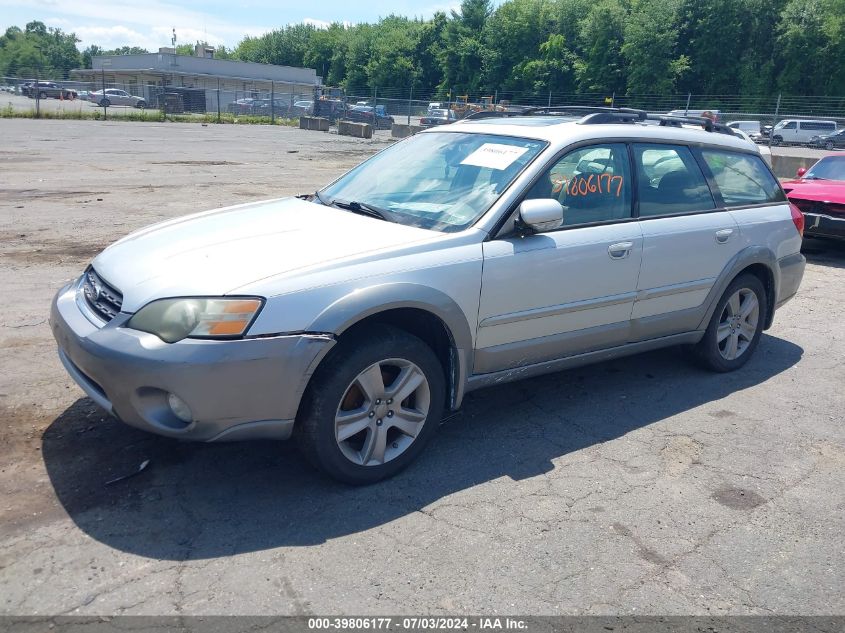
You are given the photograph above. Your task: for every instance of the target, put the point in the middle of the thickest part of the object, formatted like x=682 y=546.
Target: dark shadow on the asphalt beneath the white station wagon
x=196 y=501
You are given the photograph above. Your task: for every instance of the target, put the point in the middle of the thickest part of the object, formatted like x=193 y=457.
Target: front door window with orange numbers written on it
x=592 y=183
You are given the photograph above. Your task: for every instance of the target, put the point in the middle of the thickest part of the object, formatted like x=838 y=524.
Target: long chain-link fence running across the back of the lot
x=64 y=98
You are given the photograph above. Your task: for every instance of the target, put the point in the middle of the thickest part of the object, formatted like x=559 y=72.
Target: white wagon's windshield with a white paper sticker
x=441 y=181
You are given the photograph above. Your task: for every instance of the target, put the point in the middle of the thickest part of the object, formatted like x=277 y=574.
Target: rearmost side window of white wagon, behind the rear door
x=742 y=178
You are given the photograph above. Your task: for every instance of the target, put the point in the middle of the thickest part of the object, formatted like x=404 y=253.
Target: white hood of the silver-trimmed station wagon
x=216 y=252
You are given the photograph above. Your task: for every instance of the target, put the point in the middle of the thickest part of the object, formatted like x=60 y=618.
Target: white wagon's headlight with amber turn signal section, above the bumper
x=175 y=319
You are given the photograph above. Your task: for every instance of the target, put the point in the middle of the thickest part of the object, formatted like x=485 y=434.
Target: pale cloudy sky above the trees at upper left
x=150 y=23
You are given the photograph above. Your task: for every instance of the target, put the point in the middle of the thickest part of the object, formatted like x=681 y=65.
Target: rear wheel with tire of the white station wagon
x=735 y=327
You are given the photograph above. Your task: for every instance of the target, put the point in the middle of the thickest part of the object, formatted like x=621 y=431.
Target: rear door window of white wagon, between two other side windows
x=670 y=181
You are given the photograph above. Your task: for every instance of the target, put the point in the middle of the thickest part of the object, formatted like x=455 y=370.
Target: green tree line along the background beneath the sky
x=655 y=47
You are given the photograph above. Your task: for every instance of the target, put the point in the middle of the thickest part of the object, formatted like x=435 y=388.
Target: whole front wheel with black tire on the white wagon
x=372 y=405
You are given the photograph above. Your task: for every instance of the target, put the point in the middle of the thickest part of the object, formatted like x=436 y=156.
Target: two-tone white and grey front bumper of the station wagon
x=237 y=389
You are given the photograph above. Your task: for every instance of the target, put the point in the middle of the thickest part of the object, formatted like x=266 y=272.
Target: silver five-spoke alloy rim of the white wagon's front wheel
x=382 y=412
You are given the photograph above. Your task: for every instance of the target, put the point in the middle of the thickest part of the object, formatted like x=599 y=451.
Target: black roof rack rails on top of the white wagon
x=595 y=115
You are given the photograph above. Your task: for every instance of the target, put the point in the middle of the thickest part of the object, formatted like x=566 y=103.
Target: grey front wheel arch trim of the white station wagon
x=427 y=313
